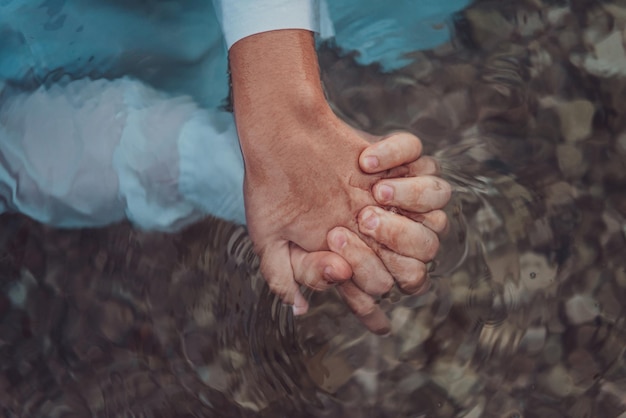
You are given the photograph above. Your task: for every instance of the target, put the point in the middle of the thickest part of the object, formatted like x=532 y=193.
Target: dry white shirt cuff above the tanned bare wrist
x=241 y=18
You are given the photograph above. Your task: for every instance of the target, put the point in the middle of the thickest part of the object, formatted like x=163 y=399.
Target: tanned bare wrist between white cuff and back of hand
x=276 y=80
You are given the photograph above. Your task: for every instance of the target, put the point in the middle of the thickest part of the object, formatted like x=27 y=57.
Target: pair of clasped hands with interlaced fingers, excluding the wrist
x=317 y=215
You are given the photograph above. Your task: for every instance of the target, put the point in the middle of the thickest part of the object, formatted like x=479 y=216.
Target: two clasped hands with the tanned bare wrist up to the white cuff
x=314 y=187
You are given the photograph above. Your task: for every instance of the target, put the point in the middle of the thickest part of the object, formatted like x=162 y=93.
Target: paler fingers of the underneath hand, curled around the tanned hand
x=402 y=245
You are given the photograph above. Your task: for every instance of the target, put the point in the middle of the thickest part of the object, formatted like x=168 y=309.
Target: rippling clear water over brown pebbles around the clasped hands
x=525 y=317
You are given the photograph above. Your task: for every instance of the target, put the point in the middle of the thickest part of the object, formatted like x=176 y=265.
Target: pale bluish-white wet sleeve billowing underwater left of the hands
x=118 y=149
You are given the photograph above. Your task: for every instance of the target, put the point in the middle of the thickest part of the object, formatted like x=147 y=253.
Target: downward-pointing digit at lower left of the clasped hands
x=278 y=273
